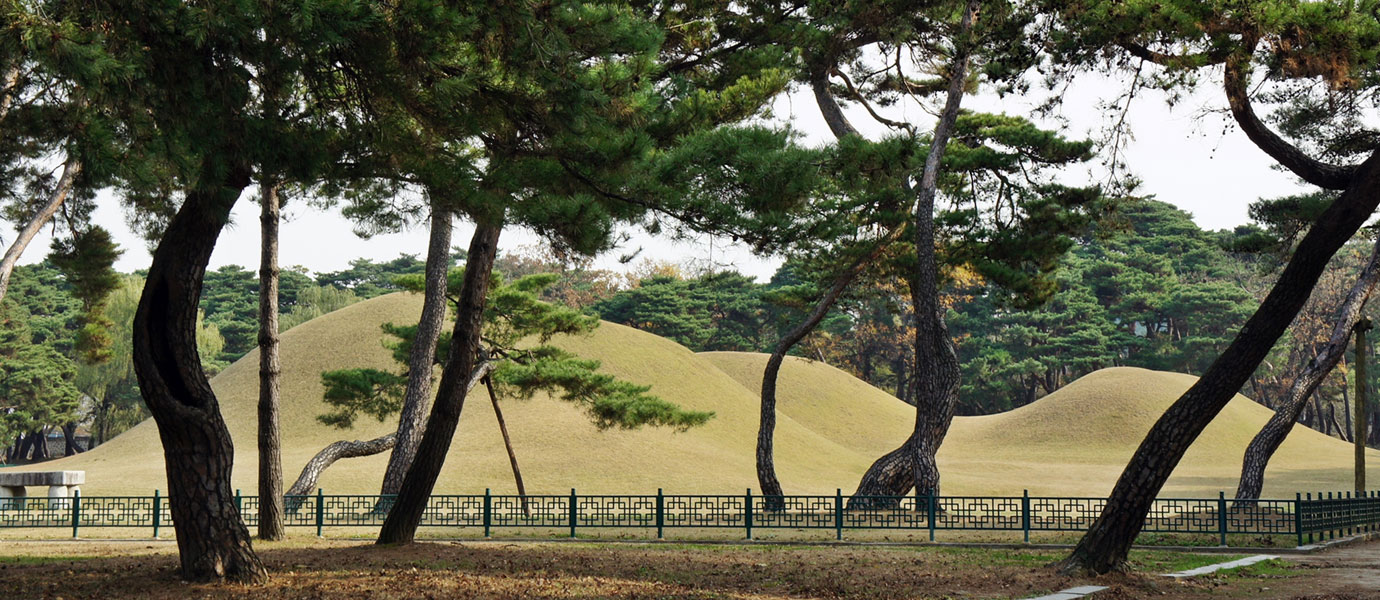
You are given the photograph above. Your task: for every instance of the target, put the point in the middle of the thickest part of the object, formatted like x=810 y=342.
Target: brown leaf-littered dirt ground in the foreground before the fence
x=314 y=569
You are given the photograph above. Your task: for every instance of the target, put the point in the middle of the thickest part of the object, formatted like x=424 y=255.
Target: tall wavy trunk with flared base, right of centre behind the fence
x=935 y=386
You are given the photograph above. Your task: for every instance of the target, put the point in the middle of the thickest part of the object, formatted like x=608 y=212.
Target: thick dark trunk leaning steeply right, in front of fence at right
x=1106 y=544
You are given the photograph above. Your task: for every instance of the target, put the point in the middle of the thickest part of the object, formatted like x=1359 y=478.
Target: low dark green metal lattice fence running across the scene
x=1303 y=518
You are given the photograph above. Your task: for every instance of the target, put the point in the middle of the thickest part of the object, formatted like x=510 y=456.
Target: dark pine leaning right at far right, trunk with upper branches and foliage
x=1327 y=56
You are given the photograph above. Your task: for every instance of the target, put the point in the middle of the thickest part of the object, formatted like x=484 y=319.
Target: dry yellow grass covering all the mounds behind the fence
x=830 y=430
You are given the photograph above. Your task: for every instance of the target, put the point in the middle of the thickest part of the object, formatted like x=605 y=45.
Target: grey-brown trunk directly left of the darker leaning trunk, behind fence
x=412 y=424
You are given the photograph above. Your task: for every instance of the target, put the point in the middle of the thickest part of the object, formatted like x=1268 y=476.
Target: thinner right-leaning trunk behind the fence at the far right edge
x=1265 y=445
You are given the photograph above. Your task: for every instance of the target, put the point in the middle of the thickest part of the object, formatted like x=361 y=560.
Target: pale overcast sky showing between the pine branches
x=1192 y=157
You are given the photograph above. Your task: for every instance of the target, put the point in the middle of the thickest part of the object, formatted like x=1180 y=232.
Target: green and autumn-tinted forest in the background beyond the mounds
x=1152 y=292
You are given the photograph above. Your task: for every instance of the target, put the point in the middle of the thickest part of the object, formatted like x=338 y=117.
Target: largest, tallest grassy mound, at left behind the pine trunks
x=557 y=445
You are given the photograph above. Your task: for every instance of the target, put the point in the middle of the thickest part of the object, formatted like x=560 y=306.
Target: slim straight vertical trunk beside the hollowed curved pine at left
x=271 y=523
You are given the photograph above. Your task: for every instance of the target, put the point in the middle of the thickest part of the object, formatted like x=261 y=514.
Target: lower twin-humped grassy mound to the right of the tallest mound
x=1074 y=442
